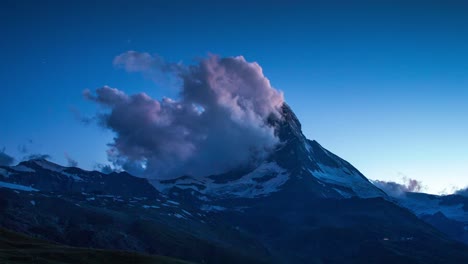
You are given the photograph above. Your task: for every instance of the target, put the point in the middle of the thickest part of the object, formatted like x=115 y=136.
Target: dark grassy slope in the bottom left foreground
x=17 y=248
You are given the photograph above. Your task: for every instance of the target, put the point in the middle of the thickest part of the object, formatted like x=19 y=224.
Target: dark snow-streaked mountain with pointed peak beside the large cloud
x=302 y=204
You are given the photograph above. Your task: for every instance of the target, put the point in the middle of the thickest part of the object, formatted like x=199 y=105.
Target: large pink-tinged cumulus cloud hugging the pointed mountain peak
x=217 y=123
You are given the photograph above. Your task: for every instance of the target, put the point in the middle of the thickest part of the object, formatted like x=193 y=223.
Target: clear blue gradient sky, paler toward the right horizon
x=385 y=86
